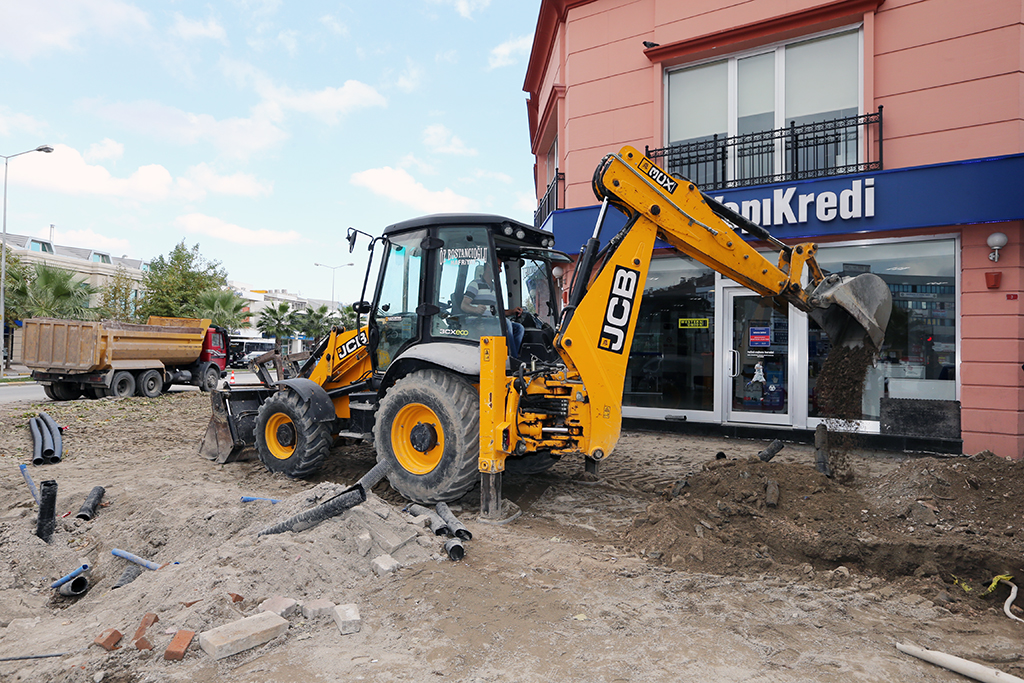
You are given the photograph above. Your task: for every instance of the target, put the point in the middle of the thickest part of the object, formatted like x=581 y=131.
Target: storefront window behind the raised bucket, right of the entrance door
x=919 y=357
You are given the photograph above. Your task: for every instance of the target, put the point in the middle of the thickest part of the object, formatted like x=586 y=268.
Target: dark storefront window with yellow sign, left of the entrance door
x=672 y=362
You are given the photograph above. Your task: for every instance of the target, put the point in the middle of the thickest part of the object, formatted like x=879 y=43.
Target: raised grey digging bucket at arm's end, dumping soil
x=852 y=310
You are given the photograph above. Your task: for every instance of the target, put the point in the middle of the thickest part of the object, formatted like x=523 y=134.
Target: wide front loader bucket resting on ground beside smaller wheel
x=232 y=433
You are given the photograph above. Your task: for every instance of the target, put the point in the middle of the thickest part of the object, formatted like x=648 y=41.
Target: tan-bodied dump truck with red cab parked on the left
x=72 y=359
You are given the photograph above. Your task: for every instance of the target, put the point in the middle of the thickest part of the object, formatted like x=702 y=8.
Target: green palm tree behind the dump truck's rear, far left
x=52 y=292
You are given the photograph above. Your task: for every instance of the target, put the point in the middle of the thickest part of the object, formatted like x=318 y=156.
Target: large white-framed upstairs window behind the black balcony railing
x=799 y=83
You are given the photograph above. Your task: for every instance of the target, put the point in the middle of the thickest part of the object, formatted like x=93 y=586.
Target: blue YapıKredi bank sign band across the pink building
x=982 y=191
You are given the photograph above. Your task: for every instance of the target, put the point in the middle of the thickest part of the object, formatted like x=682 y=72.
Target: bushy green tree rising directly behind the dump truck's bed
x=174 y=284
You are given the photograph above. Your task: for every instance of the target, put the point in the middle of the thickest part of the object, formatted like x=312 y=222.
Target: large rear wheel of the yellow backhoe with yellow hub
x=429 y=428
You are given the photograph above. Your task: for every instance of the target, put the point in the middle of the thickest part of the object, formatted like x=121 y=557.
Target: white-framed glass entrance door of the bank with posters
x=757 y=361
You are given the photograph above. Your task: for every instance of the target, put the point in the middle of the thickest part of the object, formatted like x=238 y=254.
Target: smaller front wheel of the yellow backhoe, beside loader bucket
x=288 y=440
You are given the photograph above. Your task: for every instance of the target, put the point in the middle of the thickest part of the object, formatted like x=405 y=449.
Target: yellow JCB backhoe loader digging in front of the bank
x=430 y=380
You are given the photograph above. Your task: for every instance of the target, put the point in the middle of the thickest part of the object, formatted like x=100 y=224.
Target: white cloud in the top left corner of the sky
x=30 y=29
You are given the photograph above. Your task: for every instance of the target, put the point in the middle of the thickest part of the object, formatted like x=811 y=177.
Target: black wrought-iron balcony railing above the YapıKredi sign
x=839 y=147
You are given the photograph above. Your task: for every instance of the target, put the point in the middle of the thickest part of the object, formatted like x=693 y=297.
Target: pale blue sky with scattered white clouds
x=260 y=130
